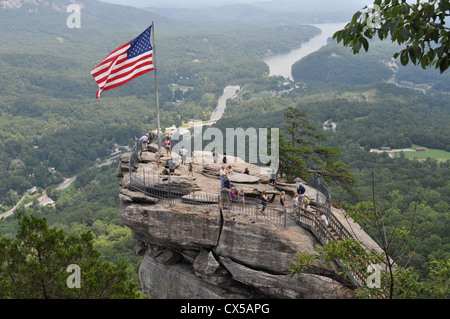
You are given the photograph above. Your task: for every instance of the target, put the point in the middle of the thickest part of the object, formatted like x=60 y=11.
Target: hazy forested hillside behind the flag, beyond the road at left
x=48 y=98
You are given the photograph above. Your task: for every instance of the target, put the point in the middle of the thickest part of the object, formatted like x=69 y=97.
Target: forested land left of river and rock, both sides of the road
x=52 y=127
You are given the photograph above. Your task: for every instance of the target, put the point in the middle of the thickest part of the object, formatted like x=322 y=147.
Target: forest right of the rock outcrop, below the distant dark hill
x=373 y=116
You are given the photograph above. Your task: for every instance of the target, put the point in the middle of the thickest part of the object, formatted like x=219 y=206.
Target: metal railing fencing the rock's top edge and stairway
x=162 y=187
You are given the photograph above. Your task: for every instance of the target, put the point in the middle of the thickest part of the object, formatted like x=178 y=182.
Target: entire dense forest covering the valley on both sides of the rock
x=49 y=117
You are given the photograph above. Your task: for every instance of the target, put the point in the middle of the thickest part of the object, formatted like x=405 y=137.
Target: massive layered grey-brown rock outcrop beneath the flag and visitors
x=202 y=251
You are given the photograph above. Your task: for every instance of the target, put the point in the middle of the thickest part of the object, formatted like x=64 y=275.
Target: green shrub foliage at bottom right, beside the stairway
x=392 y=283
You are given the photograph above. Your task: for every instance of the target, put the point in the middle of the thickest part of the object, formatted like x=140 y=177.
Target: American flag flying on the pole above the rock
x=128 y=61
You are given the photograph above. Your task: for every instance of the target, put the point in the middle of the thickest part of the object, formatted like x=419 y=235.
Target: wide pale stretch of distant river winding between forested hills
x=281 y=64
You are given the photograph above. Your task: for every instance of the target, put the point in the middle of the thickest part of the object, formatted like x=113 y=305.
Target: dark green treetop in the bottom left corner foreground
x=35 y=264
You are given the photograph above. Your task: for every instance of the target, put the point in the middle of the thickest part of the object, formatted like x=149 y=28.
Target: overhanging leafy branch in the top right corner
x=418 y=27
